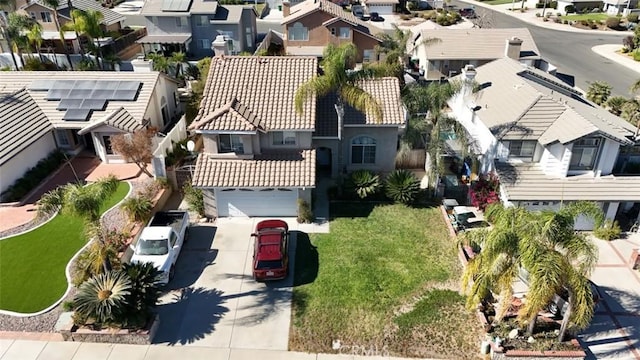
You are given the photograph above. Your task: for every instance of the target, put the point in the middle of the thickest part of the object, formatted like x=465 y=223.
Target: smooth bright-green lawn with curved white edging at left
x=32 y=265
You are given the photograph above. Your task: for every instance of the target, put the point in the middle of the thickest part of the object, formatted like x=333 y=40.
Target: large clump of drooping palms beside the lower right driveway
x=547 y=247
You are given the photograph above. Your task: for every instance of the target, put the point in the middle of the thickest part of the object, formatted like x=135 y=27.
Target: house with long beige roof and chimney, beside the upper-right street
x=452 y=49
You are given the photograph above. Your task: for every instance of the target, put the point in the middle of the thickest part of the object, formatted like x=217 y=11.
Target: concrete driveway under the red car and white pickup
x=213 y=300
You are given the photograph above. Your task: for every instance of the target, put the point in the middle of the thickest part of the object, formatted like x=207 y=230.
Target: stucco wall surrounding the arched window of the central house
x=386 y=147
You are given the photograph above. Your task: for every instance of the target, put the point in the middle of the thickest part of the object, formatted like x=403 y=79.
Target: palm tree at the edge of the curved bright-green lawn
x=83 y=201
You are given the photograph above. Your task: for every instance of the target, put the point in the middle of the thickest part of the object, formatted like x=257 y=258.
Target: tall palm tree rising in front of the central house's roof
x=338 y=77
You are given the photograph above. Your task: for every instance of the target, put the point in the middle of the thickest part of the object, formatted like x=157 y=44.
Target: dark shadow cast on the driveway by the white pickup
x=195 y=256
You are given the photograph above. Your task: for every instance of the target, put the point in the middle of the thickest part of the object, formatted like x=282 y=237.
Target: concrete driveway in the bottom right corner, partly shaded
x=615 y=329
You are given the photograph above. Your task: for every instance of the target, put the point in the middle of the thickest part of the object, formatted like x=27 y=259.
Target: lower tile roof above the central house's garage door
x=291 y=169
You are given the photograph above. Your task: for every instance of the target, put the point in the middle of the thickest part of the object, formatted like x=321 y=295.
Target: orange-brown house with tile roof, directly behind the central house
x=313 y=24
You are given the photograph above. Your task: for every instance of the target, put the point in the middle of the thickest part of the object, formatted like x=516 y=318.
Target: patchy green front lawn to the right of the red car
x=383 y=278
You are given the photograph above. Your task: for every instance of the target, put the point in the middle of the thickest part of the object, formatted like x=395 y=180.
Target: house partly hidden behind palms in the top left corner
x=43 y=14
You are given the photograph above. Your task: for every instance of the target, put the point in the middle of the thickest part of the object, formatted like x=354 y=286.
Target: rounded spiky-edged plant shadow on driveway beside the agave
x=191 y=314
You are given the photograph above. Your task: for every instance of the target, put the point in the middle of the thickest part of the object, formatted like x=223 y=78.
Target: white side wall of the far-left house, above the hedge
x=13 y=169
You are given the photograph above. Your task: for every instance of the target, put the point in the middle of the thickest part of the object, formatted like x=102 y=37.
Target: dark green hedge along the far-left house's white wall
x=32 y=178
